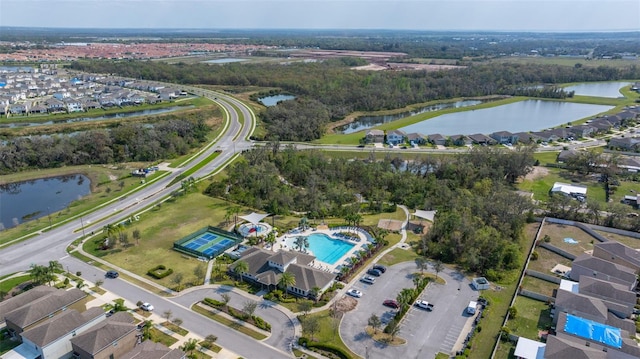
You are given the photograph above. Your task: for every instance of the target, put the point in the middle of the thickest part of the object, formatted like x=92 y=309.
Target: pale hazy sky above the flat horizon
x=444 y=15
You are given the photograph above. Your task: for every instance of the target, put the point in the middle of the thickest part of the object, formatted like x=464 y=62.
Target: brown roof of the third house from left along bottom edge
x=104 y=334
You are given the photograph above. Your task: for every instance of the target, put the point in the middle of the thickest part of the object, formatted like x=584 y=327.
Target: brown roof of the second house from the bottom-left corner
x=60 y=325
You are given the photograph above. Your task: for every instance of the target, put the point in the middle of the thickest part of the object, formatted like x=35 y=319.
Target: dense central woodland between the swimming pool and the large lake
x=479 y=216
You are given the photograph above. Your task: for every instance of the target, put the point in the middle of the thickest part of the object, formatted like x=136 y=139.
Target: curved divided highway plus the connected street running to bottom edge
x=51 y=245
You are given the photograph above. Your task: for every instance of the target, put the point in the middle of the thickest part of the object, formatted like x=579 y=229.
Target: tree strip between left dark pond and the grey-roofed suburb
x=124 y=143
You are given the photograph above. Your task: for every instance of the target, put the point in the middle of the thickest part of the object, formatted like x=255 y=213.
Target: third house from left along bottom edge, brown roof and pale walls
x=109 y=339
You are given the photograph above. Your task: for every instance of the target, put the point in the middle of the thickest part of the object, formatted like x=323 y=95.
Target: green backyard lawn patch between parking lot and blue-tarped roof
x=533 y=316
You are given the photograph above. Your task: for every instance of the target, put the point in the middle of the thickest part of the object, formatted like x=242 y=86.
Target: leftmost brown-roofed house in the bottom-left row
x=35 y=311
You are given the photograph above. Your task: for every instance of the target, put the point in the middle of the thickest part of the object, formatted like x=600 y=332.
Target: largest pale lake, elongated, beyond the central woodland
x=522 y=116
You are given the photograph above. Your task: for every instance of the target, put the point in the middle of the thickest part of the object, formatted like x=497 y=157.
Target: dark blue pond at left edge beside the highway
x=29 y=200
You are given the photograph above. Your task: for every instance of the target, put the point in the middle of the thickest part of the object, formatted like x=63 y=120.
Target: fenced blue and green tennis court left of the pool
x=208 y=242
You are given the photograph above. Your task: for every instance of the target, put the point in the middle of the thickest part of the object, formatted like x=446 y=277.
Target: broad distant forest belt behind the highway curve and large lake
x=340 y=91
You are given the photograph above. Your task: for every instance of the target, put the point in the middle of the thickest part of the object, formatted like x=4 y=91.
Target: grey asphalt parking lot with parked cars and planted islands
x=426 y=332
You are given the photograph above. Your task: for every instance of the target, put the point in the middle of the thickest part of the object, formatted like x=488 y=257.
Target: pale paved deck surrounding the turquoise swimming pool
x=284 y=243
